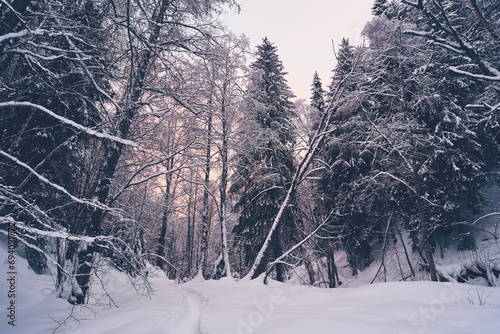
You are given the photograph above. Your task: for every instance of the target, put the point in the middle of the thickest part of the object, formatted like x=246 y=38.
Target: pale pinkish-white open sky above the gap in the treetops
x=303 y=31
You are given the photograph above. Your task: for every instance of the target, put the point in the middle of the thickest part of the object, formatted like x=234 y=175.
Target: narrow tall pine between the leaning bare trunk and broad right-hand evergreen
x=344 y=164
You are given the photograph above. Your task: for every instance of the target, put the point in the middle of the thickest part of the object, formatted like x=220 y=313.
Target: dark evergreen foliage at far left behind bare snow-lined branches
x=53 y=76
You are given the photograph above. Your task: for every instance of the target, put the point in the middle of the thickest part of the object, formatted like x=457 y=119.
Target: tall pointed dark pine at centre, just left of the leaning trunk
x=265 y=162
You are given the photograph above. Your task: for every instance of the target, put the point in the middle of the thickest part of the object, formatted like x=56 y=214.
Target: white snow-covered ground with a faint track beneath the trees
x=226 y=306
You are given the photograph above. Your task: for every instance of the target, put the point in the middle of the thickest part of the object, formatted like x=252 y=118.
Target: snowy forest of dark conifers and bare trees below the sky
x=144 y=133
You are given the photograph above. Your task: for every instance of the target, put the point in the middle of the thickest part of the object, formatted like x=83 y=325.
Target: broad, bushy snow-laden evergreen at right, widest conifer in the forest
x=433 y=143
